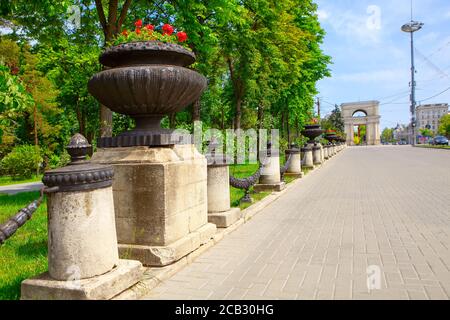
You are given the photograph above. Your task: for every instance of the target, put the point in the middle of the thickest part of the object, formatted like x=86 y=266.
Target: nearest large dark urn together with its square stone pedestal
x=160 y=183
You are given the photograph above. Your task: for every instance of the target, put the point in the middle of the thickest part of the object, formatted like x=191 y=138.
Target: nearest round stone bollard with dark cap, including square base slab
x=83 y=260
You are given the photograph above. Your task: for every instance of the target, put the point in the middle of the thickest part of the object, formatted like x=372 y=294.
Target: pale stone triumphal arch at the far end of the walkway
x=371 y=120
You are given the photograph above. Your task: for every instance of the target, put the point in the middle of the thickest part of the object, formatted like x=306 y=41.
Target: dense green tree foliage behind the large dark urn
x=262 y=59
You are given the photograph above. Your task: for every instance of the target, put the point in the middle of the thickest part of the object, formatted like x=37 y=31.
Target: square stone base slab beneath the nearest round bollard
x=103 y=287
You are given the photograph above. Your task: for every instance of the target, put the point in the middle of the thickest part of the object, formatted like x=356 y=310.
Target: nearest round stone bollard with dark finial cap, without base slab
x=82 y=232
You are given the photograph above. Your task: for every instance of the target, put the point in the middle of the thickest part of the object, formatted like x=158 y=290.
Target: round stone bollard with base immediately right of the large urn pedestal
x=219 y=210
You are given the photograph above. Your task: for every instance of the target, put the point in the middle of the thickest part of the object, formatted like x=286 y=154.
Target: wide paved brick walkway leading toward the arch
x=387 y=207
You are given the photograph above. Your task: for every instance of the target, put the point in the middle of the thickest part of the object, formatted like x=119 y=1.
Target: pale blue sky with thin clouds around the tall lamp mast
x=371 y=55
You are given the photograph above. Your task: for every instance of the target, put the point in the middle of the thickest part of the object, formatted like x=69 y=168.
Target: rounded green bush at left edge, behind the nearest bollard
x=22 y=161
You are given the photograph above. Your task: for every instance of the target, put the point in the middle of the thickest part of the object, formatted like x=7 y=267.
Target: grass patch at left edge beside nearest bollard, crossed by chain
x=24 y=255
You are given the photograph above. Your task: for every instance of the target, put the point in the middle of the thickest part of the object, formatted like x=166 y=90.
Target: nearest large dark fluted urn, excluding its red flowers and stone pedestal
x=146 y=80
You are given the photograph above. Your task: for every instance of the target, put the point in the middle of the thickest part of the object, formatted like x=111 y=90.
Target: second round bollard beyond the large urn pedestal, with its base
x=270 y=179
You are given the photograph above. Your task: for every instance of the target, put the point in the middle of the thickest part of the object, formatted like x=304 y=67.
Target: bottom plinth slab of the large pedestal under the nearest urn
x=159 y=256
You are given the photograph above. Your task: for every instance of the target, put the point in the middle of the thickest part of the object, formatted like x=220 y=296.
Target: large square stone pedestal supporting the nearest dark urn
x=160 y=198
